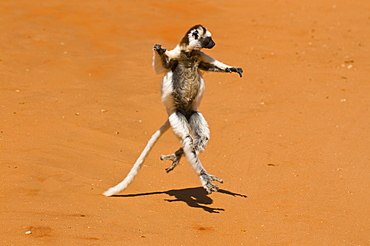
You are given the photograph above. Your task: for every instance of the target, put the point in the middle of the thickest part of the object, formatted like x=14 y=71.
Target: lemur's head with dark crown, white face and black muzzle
x=198 y=37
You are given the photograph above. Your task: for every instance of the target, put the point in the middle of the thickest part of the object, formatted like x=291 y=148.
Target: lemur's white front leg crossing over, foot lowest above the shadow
x=181 y=128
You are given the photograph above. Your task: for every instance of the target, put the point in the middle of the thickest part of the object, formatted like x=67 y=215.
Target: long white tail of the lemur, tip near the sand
x=135 y=169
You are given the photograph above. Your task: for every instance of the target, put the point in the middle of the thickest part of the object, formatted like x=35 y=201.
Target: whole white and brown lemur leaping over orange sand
x=182 y=90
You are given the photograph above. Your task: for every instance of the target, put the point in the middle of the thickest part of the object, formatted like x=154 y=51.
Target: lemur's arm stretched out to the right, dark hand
x=209 y=64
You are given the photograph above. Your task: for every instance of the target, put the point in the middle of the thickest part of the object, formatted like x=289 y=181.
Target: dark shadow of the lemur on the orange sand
x=193 y=197
